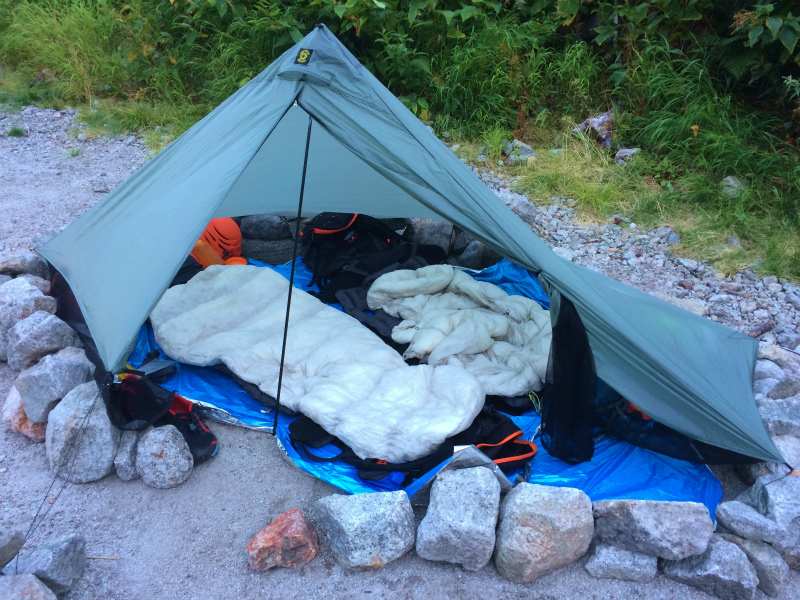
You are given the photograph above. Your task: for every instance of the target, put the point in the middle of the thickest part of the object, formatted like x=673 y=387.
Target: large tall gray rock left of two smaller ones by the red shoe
x=81 y=441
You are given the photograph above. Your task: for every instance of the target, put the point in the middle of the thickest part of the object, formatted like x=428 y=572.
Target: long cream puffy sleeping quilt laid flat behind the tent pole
x=337 y=372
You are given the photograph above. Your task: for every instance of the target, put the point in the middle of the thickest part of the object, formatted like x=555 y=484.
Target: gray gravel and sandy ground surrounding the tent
x=189 y=542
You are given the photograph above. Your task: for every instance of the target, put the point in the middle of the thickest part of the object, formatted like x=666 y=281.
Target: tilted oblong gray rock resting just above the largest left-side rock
x=44 y=384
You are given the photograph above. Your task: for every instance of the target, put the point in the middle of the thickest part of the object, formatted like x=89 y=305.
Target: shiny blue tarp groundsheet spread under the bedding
x=617 y=470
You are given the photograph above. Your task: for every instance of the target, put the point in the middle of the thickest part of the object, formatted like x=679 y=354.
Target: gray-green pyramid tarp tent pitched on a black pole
x=369 y=154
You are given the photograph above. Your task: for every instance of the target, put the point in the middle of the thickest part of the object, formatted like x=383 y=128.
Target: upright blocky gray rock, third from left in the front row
x=462 y=515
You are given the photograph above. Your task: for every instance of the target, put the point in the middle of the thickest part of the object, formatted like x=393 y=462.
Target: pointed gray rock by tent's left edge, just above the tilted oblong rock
x=36 y=336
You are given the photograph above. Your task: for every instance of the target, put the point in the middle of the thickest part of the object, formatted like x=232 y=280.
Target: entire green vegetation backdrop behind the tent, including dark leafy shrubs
x=707 y=88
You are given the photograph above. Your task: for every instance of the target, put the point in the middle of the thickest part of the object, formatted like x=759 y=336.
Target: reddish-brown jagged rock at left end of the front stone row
x=287 y=541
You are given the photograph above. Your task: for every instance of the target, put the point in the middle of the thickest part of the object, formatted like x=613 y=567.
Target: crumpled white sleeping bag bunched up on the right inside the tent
x=449 y=318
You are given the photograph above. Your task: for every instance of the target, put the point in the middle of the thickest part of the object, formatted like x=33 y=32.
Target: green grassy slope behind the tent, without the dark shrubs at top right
x=129 y=69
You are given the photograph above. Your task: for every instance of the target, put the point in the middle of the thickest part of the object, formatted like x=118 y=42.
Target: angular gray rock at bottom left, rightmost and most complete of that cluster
x=58 y=564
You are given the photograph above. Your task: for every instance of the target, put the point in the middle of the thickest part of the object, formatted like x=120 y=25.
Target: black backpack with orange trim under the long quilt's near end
x=491 y=432
